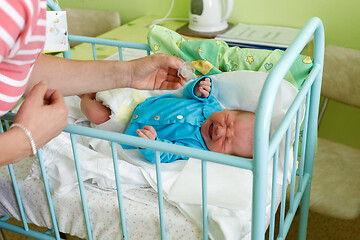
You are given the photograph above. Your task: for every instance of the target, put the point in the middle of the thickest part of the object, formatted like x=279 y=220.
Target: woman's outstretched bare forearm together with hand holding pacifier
x=75 y=77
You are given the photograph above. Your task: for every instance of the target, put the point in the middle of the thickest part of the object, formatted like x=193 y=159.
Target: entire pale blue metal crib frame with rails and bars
x=265 y=149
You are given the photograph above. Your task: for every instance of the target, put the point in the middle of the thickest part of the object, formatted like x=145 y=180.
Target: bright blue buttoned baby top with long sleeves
x=176 y=120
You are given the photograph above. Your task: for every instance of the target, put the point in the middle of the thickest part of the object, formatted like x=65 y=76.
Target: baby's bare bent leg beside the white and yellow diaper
x=95 y=111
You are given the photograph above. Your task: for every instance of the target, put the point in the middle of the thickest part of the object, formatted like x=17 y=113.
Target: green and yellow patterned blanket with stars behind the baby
x=213 y=56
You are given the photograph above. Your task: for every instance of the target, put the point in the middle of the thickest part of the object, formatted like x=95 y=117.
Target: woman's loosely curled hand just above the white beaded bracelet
x=43 y=113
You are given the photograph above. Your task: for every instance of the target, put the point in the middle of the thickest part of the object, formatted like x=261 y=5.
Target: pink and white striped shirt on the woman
x=22 y=38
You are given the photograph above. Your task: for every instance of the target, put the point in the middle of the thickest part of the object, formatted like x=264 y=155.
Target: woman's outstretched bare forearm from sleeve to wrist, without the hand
x=74 y=77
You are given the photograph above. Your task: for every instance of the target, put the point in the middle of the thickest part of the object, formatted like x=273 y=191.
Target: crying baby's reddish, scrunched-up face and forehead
x=230 y=132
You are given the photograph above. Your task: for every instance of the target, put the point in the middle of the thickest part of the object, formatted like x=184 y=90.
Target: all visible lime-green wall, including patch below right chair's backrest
x=341 y=20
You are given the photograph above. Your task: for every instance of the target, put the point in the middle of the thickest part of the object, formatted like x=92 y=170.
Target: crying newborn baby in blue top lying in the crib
x=196 y=120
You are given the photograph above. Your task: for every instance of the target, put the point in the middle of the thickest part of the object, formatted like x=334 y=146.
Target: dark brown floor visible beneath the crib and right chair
x=320 y=227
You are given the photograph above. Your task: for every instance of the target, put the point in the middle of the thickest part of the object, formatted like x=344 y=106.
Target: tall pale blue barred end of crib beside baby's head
x=265 y=149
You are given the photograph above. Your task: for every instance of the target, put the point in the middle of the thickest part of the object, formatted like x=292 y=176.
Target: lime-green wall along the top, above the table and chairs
x=341 y=18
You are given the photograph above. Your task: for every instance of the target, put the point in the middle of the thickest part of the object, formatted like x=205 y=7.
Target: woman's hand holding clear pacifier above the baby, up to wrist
x=158 y=71
